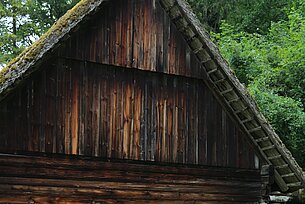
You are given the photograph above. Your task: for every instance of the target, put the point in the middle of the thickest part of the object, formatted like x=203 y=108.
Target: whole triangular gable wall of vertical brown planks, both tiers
x=103 y=58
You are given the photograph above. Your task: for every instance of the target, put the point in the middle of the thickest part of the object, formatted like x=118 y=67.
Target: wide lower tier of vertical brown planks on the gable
x=85 y=108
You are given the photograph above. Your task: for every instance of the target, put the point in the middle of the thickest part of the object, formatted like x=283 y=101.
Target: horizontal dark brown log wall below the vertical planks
x=60 y=179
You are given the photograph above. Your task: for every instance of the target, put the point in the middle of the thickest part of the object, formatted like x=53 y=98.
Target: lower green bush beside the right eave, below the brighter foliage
x=286 y=116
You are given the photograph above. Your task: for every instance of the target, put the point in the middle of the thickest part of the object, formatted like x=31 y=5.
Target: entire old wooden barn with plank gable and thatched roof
x=129 y=101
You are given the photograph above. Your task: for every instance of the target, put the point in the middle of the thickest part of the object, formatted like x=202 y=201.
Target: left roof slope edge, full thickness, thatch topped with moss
x=20 y=65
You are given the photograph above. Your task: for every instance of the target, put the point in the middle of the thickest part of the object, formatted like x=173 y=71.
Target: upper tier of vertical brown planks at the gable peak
x=133 y=34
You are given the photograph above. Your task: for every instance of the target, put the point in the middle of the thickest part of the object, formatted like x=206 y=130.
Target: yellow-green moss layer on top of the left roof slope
x=49 y=39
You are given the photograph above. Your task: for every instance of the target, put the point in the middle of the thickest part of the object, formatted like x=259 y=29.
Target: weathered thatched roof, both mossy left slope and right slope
x=236 y=99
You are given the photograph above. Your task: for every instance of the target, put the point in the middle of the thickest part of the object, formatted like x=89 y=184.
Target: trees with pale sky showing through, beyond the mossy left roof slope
x=23 y=21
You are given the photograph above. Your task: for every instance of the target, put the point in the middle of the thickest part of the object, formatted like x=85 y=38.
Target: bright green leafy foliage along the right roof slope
x=272 y=65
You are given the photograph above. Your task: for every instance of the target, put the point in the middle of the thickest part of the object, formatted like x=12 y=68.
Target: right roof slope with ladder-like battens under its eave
x=235 y=95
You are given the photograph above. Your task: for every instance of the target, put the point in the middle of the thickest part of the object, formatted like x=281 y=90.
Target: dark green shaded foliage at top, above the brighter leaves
x=250 y=16
